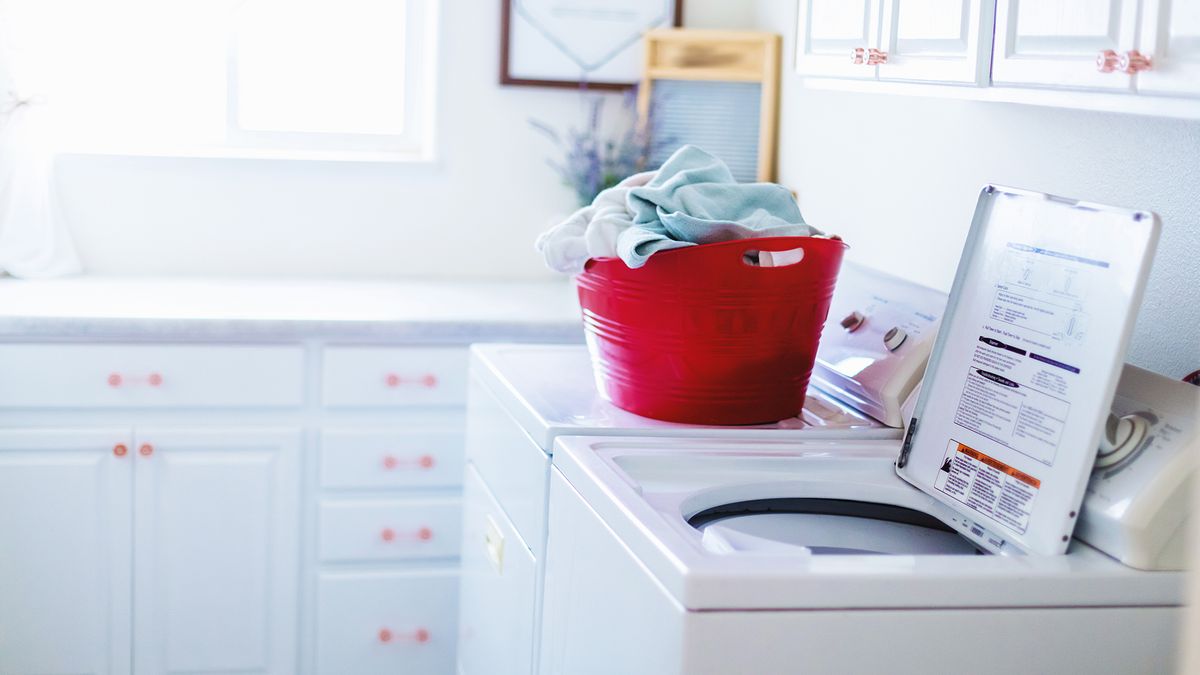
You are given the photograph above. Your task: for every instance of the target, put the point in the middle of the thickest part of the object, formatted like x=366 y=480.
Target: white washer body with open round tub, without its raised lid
x=699 y=558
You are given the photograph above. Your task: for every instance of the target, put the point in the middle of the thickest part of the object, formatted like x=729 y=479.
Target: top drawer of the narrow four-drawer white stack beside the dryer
x=394 y=377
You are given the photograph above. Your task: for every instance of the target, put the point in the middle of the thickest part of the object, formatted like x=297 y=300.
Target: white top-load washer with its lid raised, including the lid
x=812 y=557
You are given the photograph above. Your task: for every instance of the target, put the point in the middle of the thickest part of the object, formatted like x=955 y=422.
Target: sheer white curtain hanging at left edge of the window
x=34 y=240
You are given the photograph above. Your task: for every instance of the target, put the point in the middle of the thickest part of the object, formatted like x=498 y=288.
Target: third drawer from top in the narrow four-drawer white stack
x=389 y=529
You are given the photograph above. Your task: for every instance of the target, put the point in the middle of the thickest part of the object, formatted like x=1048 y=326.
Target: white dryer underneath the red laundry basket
x=523 y=398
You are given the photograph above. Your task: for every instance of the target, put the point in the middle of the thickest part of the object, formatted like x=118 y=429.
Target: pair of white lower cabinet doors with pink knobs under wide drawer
x=159 y=552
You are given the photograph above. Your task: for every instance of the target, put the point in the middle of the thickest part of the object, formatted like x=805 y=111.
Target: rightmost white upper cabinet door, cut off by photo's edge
x=1171 y=37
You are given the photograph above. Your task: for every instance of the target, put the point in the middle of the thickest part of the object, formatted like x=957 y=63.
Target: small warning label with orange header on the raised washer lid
x=988 y=486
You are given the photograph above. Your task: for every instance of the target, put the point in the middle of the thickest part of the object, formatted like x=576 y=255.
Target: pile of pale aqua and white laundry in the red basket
x=692 y=200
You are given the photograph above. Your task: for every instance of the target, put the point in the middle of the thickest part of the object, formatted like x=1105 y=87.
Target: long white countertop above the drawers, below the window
x=147 y=308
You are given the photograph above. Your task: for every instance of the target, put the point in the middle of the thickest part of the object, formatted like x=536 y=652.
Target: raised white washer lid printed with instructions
x=1025 y=366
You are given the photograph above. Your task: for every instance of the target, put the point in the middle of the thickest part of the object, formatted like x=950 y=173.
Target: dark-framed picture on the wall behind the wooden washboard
x=579 y=43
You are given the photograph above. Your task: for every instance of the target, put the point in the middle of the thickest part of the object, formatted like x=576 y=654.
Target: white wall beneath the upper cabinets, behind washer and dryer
x=898 y=177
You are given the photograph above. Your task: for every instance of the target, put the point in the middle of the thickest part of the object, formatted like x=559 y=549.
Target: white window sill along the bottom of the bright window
x=272 y=154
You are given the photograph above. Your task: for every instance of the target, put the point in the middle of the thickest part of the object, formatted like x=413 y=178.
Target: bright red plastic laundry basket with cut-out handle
x=700 y=336
